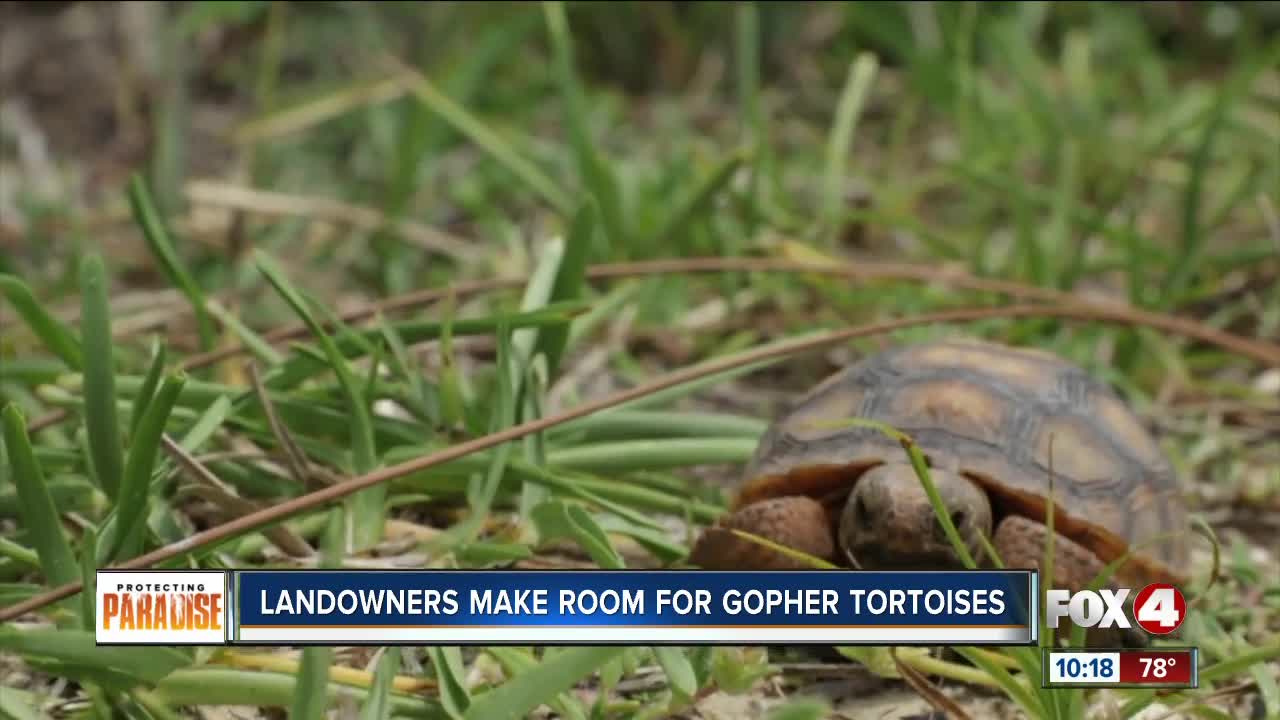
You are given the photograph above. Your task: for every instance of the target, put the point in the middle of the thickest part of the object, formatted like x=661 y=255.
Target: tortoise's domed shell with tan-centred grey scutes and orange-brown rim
x=1016 y=422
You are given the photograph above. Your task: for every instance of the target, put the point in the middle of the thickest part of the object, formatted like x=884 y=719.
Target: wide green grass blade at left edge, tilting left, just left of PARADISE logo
x=39 y=514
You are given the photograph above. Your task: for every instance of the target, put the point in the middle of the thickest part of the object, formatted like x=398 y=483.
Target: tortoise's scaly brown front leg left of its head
x=794 y=522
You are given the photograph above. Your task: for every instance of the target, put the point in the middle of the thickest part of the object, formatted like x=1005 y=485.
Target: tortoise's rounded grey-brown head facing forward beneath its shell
x=889 y=523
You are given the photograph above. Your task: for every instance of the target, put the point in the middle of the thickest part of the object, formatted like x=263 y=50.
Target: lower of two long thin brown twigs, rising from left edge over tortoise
x=331 y=494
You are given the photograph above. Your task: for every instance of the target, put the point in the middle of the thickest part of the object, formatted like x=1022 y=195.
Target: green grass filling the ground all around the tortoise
x=1092 y=149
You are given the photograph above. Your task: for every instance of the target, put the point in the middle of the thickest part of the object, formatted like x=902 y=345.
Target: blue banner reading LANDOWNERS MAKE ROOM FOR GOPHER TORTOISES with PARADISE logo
x=642 y=608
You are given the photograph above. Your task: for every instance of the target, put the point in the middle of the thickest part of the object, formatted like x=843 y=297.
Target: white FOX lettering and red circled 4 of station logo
x=1159 y=609
